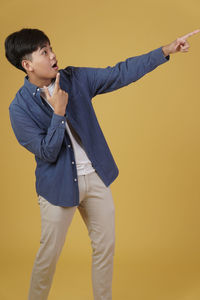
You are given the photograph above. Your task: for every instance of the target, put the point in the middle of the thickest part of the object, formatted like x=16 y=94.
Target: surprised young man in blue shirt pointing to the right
x=52 y=116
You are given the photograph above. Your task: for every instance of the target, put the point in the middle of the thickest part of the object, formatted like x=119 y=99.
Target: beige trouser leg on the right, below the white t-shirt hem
x=98 y=213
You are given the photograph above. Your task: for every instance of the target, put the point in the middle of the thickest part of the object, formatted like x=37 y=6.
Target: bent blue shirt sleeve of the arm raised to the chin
x=45 y=144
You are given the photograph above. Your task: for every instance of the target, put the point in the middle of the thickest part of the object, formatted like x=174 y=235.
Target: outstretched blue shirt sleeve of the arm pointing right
x=104 y=80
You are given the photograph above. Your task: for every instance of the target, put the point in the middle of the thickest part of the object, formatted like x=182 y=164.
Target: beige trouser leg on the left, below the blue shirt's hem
x=55 y=221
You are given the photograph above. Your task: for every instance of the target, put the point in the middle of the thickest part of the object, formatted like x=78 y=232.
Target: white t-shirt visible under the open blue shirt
x=83 y=164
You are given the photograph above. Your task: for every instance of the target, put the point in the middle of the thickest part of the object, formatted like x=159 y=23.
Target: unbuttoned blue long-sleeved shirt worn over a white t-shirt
x=42 y=132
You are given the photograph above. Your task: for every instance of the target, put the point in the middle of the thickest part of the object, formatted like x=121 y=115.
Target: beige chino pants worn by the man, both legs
x=97 y=210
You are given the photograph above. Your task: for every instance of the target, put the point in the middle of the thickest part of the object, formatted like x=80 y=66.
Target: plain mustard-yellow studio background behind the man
x=152 y=127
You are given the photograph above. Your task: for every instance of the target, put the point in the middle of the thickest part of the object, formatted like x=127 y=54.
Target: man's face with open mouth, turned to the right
x=43 y=64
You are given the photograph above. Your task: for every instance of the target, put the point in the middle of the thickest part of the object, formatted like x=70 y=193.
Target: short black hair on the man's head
x=20 y=44
